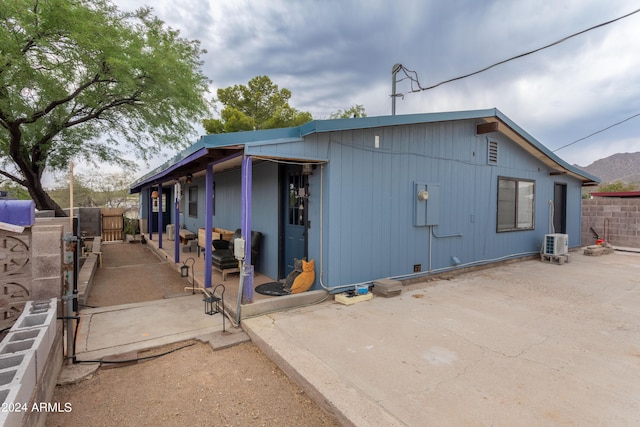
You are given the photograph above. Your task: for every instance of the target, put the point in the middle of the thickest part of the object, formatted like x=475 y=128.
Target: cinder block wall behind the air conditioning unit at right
x=617 y=217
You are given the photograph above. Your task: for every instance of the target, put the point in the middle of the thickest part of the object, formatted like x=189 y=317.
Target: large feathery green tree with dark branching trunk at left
x=80 y=79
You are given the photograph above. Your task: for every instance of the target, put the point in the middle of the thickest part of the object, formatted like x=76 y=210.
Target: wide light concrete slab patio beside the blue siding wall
x=524 y=344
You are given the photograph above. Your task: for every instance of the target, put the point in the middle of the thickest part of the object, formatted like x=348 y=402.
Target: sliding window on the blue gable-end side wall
x=516 y=201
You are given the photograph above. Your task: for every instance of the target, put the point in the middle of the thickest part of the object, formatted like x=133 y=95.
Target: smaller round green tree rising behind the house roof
x=259 y=105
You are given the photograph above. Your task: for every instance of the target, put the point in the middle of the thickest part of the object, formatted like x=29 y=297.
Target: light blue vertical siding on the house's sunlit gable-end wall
x=369 y=201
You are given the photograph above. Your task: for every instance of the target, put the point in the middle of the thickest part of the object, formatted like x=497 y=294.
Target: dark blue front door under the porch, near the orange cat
x=295 y=207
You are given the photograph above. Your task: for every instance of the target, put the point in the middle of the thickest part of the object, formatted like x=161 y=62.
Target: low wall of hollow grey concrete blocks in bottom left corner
x=24 y=356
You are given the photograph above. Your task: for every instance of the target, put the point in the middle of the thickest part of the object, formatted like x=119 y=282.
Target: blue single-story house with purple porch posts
x=376 y=197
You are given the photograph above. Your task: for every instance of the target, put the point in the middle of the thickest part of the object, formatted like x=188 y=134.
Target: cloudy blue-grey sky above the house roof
x=333 y=54
